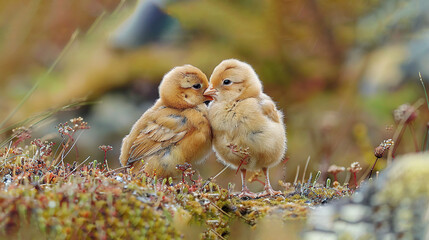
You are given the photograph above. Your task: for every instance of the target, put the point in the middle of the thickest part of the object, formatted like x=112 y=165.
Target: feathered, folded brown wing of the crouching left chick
x=158 y=136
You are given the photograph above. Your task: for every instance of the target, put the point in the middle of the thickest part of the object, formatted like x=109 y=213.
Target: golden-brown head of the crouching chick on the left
x=183 y=87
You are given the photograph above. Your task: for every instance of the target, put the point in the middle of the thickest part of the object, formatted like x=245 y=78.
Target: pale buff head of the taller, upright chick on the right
x=233 y=80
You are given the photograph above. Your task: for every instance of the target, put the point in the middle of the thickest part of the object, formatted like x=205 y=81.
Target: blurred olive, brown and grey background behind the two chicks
x=337 y=69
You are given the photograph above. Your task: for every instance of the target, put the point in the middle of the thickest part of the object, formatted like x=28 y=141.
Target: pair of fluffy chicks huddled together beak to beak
x=242 y=123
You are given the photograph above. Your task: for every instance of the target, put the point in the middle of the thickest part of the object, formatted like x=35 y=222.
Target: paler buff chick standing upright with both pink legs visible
x=248 y=130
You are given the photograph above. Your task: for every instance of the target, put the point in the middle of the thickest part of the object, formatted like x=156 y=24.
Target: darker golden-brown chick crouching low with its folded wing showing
x=173 y=131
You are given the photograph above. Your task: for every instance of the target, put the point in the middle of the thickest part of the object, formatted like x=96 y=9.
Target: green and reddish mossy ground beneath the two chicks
x=81 y=201
